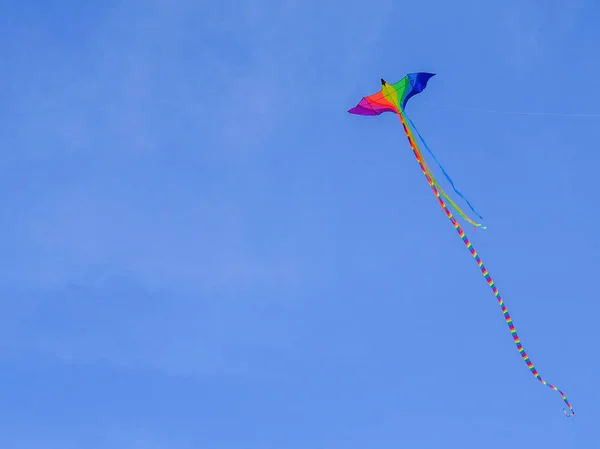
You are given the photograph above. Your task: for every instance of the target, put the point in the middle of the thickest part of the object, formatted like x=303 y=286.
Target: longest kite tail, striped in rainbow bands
x=486 y=275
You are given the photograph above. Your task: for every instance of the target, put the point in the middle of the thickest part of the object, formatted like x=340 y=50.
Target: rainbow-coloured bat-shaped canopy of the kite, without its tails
x=392 y=97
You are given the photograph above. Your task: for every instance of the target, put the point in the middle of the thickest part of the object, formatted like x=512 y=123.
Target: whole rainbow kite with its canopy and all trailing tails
x=393 y=98
